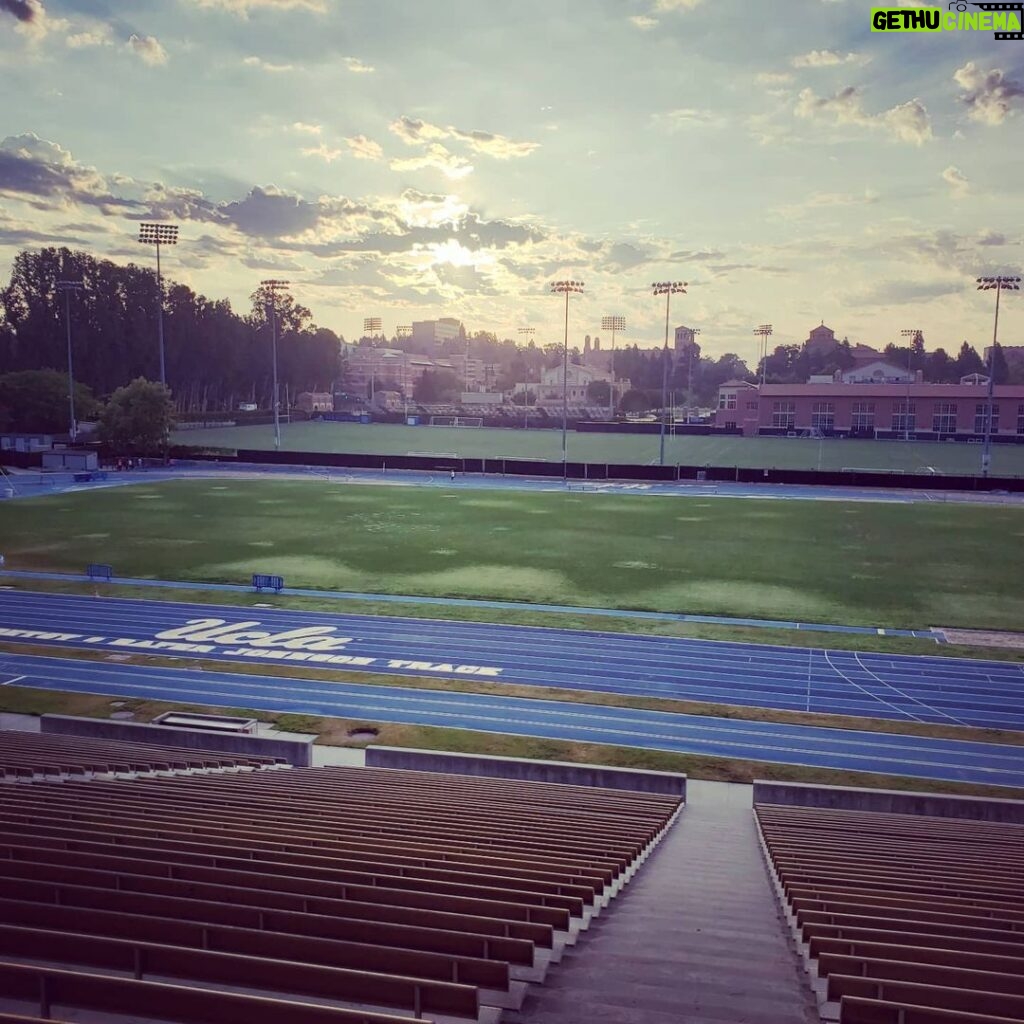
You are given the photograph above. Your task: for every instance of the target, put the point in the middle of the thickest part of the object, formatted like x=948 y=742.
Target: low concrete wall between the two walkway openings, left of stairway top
x=666 y=784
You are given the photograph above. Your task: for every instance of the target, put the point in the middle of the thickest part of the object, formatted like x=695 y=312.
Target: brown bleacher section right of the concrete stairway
x=903 y=919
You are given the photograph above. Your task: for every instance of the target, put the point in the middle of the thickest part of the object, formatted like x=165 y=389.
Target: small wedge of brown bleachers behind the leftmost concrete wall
x=30 y=756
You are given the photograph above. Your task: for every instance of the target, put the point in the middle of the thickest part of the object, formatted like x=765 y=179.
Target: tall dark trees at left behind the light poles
x=216 y=358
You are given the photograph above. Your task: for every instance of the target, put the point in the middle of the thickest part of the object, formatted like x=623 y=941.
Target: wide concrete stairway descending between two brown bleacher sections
x=697 y=937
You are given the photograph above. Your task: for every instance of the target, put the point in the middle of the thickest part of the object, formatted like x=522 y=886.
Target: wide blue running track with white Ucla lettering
x=952 y=692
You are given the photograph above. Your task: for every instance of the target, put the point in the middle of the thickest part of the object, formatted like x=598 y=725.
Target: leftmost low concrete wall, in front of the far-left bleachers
x=295 y=752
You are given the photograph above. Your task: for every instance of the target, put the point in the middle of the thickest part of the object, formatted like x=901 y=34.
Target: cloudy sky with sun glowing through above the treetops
x=416 y=159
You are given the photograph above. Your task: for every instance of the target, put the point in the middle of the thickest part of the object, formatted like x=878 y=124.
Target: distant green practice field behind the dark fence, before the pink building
x=782 y=453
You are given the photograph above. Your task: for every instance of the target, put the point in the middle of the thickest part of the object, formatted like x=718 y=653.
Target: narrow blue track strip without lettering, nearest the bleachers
x=895 y=755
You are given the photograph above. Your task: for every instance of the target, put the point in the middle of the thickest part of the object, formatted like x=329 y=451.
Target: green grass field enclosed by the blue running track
x=900 y=566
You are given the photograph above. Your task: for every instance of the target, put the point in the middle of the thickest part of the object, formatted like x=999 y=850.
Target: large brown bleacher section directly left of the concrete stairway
x=307 y=895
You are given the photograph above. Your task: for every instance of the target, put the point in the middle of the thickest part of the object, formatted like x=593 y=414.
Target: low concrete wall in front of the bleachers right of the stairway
x=890 y=801
